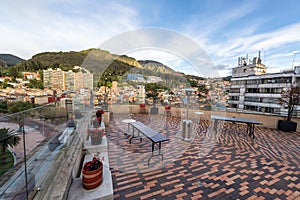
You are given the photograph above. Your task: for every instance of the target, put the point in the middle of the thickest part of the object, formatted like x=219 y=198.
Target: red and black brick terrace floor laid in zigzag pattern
x=228 y=165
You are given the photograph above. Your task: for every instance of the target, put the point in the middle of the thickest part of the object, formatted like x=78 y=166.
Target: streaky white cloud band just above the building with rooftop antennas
x=271 y=42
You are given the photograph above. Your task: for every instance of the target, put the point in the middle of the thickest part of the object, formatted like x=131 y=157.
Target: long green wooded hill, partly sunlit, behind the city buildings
x=102 y=64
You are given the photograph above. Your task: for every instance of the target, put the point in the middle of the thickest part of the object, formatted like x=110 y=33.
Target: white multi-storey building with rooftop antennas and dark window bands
x=253 y=90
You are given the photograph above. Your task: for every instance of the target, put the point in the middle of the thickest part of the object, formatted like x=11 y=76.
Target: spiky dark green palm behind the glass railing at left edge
x=7 y=138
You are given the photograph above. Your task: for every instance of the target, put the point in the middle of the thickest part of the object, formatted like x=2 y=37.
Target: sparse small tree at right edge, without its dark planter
x=290 y=97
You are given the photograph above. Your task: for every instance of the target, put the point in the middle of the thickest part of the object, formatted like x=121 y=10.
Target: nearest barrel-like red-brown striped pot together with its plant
x=92 y=174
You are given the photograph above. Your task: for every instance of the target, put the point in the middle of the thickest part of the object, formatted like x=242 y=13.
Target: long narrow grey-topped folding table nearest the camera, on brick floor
x=151 y=134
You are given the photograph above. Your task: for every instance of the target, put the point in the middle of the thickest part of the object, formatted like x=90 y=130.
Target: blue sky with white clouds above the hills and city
x=222 y=29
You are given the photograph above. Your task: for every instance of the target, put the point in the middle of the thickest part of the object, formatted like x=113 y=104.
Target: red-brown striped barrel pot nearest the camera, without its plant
x=92 y=179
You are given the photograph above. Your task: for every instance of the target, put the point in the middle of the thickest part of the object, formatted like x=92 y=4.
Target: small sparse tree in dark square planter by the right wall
x=290 y=97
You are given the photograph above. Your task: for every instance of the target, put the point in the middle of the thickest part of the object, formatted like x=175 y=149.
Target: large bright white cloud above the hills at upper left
x=32 y=27
